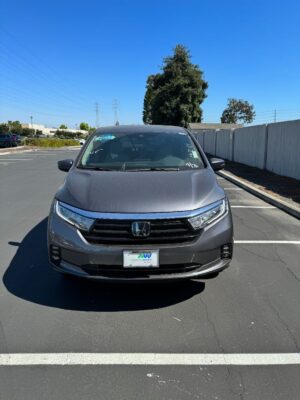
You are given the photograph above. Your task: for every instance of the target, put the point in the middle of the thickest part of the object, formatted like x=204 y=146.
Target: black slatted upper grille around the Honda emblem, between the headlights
x=118 y=232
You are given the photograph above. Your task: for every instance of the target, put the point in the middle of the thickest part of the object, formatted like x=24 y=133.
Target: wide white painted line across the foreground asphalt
x=148 y=359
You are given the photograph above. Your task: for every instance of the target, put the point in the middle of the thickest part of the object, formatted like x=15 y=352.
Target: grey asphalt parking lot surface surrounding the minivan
x=149 y=341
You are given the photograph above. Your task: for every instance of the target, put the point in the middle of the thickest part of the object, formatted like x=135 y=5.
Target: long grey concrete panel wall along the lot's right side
x=275 y=147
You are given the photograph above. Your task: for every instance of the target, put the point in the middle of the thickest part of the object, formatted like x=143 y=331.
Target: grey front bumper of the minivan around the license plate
x=180 y=261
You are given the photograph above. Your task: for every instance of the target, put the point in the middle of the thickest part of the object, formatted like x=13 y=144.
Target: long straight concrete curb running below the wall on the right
x=261 y=194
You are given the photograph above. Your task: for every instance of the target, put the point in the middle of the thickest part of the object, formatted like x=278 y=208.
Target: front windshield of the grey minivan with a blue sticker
x=141 y=151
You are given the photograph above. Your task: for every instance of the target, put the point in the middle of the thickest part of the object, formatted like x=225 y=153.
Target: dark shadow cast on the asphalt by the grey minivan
x=30 y=277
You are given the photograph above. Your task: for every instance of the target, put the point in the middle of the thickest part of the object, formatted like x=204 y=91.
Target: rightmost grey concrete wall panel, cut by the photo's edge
x=283 y=148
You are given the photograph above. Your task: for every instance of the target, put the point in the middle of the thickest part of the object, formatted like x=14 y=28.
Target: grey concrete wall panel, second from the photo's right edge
x=249 y=145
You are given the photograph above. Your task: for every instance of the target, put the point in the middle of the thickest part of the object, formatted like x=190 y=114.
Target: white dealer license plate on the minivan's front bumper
x=140 y=259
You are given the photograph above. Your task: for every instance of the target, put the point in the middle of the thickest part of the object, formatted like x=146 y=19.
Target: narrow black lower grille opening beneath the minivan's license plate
x=119 y=271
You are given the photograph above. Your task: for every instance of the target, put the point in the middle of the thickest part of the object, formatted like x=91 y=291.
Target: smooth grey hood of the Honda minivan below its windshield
x=139 y=192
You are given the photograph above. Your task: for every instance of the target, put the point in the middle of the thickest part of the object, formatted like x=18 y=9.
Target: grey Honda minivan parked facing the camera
x=140 y=203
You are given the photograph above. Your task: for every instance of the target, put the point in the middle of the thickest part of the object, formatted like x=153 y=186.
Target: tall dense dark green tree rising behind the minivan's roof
x=173 y=97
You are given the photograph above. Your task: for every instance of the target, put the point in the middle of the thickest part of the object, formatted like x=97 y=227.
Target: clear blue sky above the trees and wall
x=57 y=58
